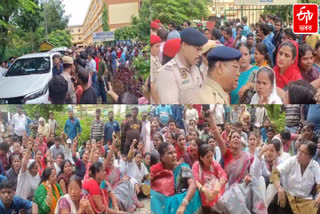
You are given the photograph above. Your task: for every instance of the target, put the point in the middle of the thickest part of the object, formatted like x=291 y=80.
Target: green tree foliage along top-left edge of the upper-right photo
x=178 y=11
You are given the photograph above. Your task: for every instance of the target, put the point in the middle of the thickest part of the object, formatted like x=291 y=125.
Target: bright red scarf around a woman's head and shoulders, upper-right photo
x=291 y=74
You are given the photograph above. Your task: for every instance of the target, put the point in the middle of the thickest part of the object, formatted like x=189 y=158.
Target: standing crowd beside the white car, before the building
x=88 y=74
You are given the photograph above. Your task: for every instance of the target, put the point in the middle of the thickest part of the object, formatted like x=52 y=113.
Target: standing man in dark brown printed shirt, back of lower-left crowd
x=132 y=130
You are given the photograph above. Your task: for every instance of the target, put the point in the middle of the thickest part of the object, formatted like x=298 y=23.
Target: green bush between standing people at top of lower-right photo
x=277 y=116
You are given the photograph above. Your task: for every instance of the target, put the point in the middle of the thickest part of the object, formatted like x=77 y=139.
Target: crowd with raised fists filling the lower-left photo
x=44 y=168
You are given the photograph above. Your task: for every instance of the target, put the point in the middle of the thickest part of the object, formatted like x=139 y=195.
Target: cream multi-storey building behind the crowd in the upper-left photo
x=119 y=15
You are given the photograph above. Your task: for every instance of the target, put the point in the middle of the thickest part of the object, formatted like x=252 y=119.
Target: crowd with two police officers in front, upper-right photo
x=233 y=63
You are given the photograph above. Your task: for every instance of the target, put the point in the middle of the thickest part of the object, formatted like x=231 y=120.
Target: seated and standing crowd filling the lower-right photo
x=234 y=159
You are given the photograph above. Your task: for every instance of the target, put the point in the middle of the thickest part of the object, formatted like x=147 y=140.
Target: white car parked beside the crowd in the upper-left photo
x=26 y=81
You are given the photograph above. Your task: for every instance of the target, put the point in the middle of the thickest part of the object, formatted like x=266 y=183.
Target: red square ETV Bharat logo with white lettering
x=305 y=19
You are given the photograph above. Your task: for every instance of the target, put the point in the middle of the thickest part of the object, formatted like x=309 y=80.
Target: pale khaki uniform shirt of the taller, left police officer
x=176 y=84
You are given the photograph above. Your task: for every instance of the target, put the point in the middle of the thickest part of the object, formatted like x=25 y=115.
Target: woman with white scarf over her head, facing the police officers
x=266 y=89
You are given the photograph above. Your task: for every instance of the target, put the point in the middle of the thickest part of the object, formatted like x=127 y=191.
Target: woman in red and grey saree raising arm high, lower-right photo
x=241 y=186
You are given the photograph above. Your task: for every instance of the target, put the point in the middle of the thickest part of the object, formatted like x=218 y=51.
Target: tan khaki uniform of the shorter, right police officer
x=211 y=93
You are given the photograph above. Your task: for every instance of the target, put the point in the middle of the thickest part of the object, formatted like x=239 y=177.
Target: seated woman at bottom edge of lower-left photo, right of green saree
x=73 y=202
